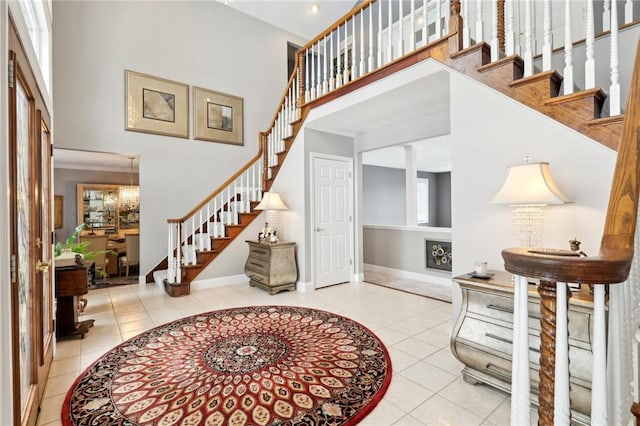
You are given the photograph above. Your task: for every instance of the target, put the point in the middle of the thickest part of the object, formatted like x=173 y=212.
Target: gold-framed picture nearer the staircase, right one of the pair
x=217 y=116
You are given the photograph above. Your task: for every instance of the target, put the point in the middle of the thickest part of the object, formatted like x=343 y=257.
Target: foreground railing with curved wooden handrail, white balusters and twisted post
x=612 y=370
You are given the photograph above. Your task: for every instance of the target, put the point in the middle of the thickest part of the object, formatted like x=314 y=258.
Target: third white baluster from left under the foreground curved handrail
x=599 y=380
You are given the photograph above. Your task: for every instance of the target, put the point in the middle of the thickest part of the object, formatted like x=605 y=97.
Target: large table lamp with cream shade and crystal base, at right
x=527 y=189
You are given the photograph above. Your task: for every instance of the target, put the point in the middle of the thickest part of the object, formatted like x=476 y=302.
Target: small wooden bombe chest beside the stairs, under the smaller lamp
x=272 y=267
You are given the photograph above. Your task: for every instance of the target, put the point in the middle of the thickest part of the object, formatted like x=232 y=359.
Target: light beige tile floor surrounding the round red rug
x=426 y=389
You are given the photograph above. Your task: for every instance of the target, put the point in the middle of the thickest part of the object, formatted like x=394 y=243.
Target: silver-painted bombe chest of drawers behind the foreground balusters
x=482 y=338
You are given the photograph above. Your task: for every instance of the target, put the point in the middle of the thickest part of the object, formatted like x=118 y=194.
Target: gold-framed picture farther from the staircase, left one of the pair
x=156 y=105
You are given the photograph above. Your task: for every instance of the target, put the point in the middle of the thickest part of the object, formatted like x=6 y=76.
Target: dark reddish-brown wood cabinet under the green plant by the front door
x=71 y=282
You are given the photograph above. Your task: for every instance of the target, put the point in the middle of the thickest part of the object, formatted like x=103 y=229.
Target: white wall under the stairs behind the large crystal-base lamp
x=490 y=132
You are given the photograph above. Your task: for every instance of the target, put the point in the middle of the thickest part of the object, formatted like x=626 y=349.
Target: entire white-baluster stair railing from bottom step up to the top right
x=371 y=38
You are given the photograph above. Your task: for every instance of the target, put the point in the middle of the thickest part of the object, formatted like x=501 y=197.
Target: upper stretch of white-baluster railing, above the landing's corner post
x=377 y=33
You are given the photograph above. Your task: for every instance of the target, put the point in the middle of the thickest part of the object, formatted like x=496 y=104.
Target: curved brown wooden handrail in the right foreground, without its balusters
x=613 y=262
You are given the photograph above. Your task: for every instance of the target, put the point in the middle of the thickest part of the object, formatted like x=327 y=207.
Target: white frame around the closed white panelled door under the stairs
x=349 y=160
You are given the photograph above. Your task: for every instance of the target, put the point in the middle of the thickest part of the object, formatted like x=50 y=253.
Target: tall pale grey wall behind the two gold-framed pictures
x=198 y=43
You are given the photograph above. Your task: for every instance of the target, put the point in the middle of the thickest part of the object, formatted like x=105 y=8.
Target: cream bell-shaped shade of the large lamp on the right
x=529 y=184
